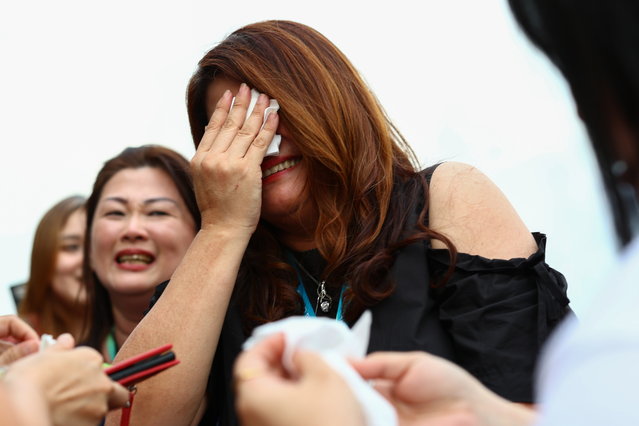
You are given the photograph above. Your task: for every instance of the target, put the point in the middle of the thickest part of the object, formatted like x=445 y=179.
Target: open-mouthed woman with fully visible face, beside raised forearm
x=142 y=217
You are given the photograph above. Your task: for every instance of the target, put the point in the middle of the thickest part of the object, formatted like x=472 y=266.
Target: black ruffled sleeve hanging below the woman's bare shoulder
x=499 y=313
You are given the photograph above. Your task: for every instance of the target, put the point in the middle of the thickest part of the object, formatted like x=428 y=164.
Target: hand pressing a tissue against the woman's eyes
x=226 y=166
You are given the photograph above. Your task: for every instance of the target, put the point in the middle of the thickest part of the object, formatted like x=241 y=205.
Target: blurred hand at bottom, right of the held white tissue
x=426 y=389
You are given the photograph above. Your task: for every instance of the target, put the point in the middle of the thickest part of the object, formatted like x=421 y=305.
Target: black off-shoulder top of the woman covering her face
x=491 y=317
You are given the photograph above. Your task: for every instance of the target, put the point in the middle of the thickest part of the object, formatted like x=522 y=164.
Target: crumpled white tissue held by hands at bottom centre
x=334 y=342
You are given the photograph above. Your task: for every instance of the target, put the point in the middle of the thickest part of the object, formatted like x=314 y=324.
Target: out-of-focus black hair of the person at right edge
x=595 y=44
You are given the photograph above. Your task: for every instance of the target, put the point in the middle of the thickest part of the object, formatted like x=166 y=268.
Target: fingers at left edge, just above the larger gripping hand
x=17 y=339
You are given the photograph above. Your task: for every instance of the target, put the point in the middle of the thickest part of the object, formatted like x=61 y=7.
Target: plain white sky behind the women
x=81 y=80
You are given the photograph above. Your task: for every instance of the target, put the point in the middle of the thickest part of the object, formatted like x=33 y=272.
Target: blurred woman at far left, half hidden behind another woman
x=55 y=298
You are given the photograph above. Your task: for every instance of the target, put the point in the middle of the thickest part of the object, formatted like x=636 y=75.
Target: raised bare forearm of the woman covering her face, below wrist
x=189 y=315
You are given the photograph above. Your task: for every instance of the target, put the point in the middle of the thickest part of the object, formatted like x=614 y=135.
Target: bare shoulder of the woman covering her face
x=467 y=207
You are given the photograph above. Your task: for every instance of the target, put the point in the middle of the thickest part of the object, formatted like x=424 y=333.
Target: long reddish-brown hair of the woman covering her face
x=362 y=175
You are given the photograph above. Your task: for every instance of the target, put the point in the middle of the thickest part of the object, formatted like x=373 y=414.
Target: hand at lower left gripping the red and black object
x=68 y=384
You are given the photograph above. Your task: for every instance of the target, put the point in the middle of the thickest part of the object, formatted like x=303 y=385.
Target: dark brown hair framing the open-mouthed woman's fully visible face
x=155 y=156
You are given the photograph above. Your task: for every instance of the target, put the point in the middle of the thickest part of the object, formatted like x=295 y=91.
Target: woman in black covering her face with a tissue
x=341 y=221
